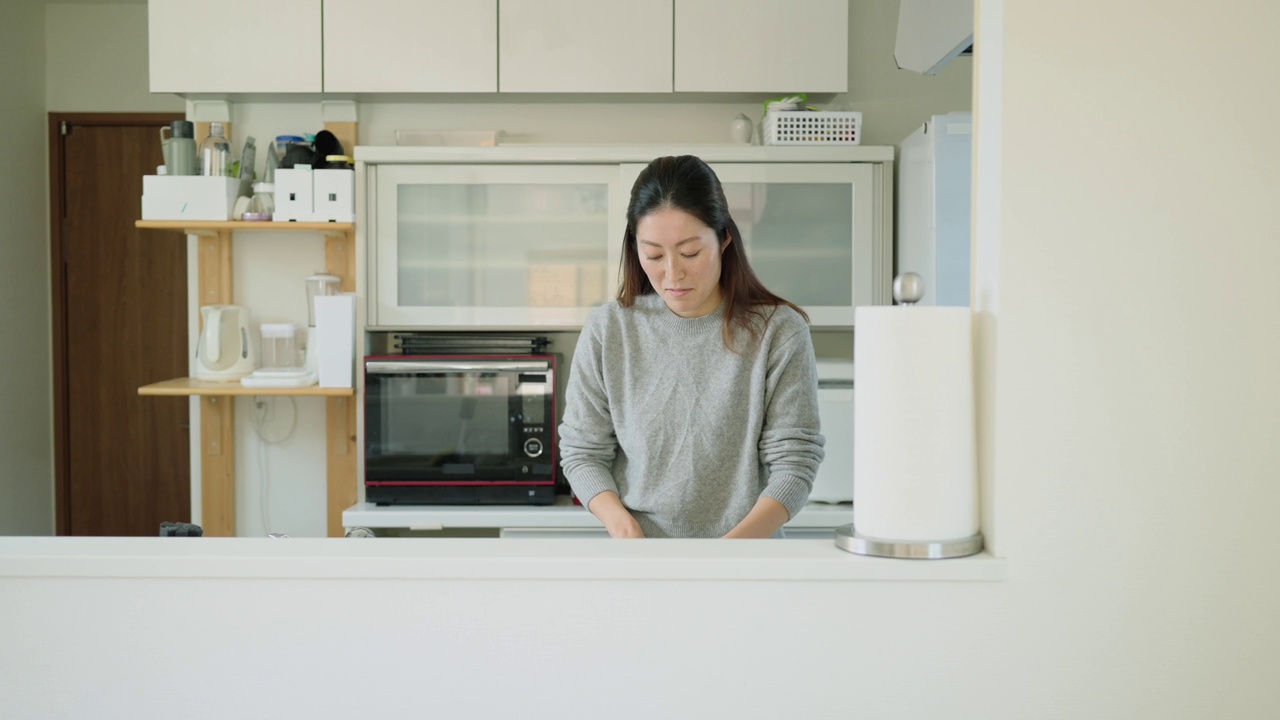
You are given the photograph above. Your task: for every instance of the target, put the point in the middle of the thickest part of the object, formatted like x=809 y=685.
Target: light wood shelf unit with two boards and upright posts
x=217 y=405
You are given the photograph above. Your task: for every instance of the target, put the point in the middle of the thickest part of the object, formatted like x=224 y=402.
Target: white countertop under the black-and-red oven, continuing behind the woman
x=564 y=514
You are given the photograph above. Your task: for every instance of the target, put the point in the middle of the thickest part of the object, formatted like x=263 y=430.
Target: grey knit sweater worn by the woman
x=689 y=435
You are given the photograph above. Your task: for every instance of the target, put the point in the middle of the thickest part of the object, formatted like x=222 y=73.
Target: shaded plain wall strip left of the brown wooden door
x=26 y=391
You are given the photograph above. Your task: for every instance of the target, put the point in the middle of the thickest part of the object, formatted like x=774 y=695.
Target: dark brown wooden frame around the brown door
x=58 y=288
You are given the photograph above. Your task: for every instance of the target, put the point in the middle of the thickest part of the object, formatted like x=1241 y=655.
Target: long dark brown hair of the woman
x=687 y=184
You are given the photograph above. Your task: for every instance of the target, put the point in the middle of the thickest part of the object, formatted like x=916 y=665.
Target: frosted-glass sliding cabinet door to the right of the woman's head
x=811 y=233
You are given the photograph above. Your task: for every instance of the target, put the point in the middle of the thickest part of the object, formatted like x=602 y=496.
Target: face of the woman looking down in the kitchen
x=683 y=261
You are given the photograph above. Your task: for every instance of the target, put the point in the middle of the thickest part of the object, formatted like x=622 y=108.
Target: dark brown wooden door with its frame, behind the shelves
x=120 y=322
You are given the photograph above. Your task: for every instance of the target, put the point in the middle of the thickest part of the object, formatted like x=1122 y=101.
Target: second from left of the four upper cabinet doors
x=410 y=47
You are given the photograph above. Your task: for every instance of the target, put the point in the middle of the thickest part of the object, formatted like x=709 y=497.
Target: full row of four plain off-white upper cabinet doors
x=564 y=47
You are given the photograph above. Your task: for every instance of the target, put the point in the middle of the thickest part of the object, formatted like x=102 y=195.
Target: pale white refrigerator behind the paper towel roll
x=934 y=189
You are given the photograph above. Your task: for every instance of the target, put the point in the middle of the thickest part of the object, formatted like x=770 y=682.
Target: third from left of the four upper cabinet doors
x=584 y=47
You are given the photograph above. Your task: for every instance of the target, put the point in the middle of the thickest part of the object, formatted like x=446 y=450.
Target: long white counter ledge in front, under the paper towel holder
x=470 y=559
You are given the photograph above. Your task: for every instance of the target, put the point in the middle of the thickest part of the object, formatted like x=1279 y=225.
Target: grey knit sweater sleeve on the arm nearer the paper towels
x=792 y=445
